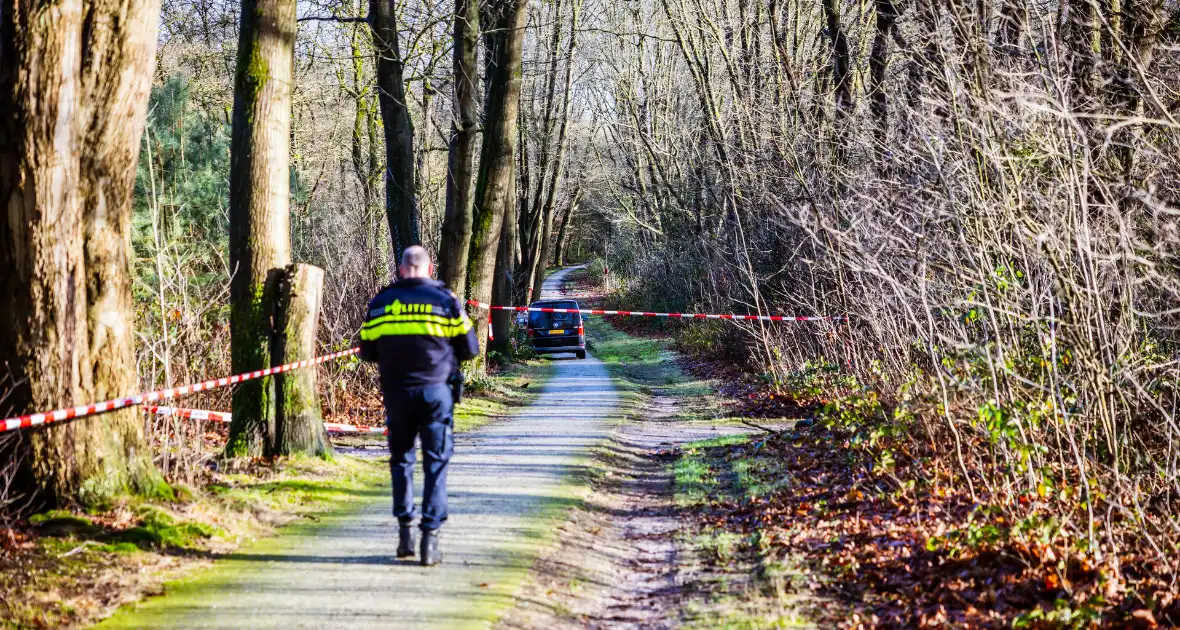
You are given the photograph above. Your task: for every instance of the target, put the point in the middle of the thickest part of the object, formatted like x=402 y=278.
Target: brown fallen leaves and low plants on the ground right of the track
x=880 y=526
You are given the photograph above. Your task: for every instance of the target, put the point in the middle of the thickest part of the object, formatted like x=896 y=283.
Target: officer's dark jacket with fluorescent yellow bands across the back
x=417 y=333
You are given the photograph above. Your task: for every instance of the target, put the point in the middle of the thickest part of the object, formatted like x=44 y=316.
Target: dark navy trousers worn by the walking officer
x=427 y=414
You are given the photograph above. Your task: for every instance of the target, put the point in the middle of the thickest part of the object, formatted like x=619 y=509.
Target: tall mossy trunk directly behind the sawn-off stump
x=259 y=209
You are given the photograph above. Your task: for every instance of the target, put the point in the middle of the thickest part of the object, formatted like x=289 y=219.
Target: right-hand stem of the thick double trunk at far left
x=119 y=64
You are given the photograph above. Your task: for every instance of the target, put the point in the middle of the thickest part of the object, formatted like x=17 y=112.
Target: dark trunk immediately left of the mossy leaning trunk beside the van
x=461 y=155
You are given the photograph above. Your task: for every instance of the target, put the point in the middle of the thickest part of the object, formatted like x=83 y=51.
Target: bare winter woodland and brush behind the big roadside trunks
x=988 y=191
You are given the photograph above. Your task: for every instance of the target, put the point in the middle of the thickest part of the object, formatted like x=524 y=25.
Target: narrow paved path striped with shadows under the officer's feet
x=508 y=482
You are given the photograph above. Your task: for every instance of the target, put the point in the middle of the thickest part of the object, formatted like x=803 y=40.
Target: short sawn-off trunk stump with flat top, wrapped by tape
x=299 y=423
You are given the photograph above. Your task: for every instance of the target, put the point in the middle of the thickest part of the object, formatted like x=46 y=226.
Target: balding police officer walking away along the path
x=418 y=333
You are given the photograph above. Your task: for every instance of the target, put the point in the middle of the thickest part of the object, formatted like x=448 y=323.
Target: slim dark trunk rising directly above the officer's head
x=401 y=205
